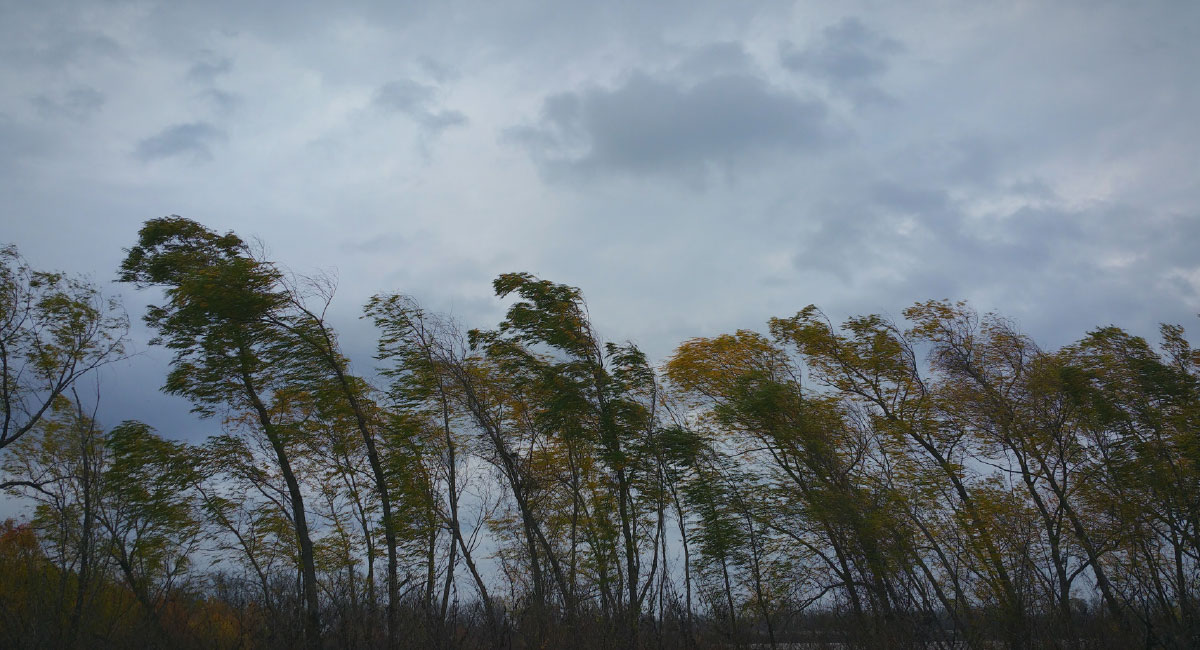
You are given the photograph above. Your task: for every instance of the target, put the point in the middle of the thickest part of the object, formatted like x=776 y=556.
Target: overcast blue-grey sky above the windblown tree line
x=694 y=167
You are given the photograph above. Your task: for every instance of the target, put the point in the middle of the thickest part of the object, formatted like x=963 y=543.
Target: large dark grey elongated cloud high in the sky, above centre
x=664 y=127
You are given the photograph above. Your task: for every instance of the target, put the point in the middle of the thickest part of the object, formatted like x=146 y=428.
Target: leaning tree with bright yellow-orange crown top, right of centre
x=823 y=497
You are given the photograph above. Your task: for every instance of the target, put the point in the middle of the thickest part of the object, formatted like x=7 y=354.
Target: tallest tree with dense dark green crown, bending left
x=230 y=353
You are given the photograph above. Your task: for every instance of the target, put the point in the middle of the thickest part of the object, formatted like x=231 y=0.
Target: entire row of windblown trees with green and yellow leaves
x=943 y=485
